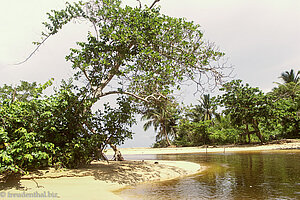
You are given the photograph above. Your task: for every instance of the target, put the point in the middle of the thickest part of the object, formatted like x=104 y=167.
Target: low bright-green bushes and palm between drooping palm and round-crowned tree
x=203 y=125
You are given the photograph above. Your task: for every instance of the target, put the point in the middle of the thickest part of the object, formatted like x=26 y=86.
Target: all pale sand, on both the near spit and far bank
x=100 y=179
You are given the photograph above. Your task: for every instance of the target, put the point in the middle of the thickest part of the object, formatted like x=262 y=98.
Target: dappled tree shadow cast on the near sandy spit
x=121 y=172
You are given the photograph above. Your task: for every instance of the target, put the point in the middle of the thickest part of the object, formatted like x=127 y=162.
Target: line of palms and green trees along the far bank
x=247 y=115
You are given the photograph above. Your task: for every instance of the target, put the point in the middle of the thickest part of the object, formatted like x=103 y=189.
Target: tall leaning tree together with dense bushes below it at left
x=136 y=55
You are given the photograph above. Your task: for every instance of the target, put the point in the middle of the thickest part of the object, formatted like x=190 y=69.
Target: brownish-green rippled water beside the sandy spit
x=260 y=175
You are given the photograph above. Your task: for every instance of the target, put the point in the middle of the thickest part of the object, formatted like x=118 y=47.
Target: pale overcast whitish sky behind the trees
x=260 y=38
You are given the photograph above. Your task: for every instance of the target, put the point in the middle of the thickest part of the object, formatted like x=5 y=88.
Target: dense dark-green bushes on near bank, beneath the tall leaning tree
x=58 y=130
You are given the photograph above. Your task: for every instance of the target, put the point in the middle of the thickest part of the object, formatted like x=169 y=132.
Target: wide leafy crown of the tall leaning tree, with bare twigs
x=136 y=52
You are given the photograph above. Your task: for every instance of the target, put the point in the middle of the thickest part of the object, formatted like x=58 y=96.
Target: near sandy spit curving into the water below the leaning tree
x=100 y=180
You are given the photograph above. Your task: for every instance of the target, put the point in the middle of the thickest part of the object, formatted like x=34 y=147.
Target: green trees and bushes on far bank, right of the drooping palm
x=248 y=112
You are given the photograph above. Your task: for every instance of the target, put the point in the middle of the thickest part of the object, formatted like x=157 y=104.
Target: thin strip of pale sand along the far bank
x=285 y=145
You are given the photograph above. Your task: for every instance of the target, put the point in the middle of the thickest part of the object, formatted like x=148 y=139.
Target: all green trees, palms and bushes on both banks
x=141 y=58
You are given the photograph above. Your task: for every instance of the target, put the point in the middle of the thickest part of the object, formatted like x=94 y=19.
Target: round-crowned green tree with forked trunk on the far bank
x=247 y=107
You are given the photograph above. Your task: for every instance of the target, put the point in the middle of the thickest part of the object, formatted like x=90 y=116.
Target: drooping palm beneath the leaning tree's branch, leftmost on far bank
x=163 y=119
